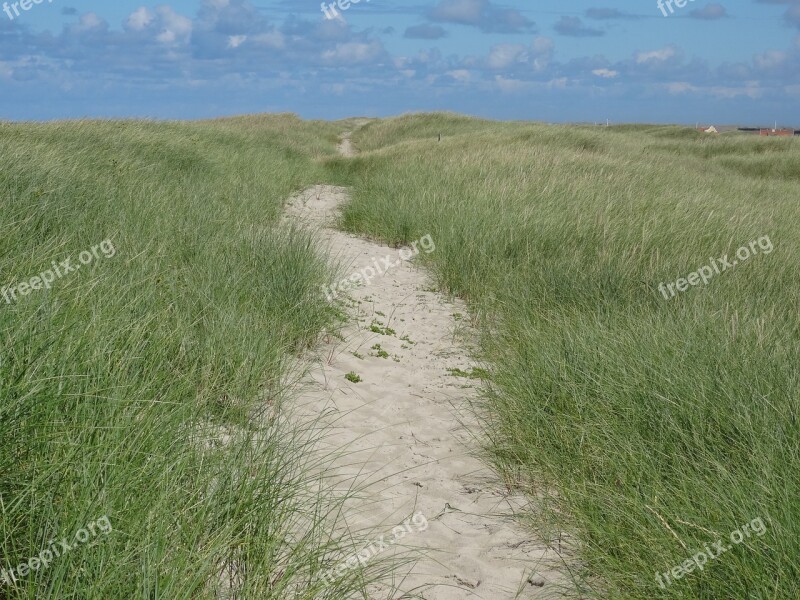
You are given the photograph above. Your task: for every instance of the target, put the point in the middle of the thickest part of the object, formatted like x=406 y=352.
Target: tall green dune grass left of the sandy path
x=145 y=387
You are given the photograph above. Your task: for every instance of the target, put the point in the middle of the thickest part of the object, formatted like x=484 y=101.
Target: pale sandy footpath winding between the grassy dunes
x=402 y=427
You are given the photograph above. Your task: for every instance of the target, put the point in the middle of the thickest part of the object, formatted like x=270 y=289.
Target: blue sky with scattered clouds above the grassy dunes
x=732 y=61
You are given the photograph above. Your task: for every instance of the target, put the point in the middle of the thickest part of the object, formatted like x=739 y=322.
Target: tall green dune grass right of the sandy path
x=651 y=427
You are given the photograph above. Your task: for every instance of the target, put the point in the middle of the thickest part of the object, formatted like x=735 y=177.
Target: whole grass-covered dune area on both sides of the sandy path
x=144 y=387
